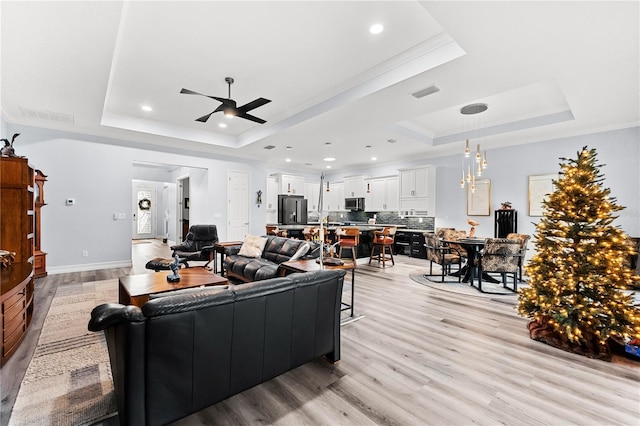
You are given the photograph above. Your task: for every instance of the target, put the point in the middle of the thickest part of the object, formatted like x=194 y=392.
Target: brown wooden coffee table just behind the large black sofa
x=135 y=289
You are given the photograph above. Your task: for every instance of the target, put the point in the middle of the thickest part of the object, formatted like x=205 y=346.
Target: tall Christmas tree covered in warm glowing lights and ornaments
x=577 y=276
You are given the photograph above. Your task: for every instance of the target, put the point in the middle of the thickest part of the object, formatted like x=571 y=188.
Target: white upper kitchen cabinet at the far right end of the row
x=418 y=190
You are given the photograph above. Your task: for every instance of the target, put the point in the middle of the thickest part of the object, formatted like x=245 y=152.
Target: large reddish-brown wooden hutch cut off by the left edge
x=17 y=233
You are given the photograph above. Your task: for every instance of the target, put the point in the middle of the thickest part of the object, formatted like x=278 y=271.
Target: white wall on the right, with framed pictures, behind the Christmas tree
x=509 y=170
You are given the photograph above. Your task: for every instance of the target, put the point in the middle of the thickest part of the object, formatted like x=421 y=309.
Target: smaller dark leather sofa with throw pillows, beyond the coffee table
x=276 y=251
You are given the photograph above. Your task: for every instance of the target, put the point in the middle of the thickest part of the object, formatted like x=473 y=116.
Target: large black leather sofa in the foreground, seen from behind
x=192 y=348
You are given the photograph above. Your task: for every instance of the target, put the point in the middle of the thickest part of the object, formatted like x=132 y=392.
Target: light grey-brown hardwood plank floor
x=427 y=356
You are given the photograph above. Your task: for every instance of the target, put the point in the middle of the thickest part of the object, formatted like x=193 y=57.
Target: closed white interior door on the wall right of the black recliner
x=238 y=208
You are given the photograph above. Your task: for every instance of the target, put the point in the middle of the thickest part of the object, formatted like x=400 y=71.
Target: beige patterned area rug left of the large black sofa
x=68 y=381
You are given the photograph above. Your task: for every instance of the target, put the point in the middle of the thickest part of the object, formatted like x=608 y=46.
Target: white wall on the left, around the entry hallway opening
x=99 y=177
